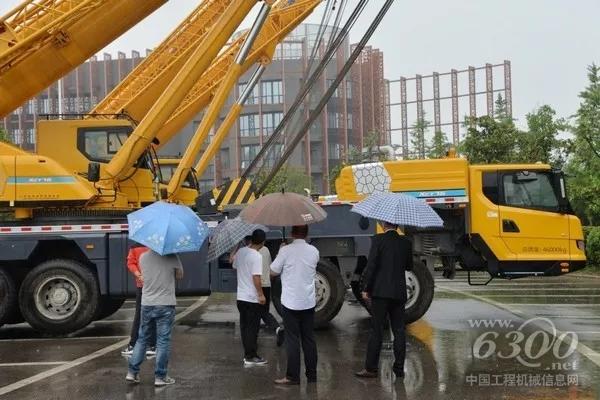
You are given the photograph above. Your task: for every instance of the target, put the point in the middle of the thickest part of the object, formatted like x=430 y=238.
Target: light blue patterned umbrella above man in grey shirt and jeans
x=167 y=228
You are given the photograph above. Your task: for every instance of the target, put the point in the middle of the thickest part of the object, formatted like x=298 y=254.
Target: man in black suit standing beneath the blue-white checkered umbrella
x=385 y=288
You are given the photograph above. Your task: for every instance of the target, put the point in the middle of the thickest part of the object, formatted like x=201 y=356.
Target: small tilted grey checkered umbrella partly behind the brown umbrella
x=228 y=234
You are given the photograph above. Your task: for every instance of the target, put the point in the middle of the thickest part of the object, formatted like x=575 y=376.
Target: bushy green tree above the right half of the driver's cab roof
x=541 y=141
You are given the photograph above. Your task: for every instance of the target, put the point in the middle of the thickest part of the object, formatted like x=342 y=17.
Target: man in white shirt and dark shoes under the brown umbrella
x=297 y=265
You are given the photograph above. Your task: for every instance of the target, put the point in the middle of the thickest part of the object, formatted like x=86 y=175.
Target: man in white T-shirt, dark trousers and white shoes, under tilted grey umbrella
x=250 y=297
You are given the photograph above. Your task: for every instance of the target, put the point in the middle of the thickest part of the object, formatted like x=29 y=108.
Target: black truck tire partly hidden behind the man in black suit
x=418 y=280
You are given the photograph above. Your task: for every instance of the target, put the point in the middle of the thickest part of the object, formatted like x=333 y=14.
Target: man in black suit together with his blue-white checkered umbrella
x=390 y=256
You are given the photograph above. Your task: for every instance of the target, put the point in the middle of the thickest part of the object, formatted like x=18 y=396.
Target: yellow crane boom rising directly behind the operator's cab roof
x=135 y=94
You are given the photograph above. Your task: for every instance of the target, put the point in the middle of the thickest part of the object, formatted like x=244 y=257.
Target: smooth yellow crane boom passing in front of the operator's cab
x=139 y=141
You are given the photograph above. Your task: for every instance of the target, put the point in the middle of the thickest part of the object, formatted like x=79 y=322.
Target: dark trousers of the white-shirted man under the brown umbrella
x=299 y=327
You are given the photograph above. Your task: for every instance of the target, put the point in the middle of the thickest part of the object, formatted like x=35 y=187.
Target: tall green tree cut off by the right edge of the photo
x=584 y=163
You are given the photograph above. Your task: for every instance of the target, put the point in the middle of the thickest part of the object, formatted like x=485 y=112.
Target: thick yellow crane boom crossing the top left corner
x=58 y=35
